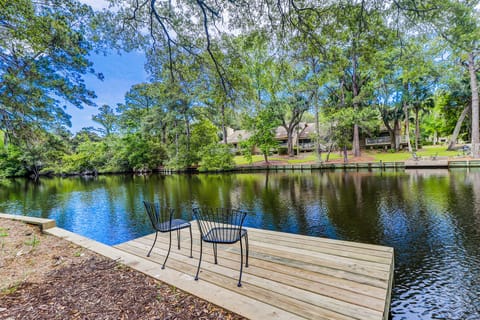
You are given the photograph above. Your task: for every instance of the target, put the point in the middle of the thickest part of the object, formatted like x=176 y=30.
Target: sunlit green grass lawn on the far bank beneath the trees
x=377 y=155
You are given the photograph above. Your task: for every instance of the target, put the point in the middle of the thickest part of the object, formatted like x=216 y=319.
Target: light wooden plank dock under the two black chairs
x=289 y=276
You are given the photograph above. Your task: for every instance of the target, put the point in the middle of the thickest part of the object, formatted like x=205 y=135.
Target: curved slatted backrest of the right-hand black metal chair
x=229 y=220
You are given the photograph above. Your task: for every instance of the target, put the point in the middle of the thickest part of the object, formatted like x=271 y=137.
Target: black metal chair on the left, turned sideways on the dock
x=162 y=221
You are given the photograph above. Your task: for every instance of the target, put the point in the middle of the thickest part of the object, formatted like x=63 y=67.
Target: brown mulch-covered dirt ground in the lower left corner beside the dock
x=44 y=277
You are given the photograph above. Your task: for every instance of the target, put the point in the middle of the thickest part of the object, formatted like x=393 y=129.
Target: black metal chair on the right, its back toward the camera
x=221 y=226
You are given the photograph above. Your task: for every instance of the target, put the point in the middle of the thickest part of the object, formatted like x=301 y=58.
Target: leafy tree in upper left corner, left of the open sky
x=43 y=56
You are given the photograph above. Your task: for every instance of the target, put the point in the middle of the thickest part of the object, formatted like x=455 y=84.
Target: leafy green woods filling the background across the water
x=355 y=66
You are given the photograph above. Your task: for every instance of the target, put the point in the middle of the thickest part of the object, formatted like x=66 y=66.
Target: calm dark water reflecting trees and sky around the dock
x=431 y=218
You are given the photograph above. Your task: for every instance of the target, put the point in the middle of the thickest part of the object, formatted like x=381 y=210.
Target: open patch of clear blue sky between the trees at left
x=121 y=72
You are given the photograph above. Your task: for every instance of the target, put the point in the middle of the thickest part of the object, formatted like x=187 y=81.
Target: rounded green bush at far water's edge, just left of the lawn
x=216 y=156
